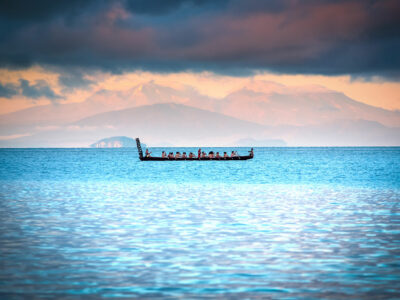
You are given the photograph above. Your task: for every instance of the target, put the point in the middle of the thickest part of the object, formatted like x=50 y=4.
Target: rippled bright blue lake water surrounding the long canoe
x=293 y=223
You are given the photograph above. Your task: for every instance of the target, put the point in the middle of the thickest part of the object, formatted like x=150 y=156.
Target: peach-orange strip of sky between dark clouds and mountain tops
x=376 y=92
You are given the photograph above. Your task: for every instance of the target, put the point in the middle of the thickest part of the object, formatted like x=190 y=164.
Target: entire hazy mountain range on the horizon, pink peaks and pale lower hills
x=160 y=115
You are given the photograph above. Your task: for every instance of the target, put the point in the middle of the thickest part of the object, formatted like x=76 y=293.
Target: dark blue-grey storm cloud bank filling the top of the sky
x=356 y=37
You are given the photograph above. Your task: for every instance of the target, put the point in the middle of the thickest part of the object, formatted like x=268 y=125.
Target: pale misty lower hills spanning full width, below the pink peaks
x=181 y=125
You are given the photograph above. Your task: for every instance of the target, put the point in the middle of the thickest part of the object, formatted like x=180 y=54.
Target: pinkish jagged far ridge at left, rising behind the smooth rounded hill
x=45 y=116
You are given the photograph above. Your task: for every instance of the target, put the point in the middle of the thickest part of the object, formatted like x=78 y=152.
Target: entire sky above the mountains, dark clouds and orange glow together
x=64 y=51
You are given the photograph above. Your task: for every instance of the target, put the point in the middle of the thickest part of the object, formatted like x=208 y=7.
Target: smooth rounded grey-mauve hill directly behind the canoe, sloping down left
x=171 y=123
